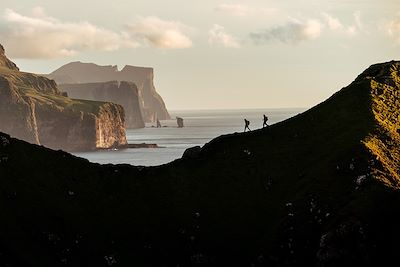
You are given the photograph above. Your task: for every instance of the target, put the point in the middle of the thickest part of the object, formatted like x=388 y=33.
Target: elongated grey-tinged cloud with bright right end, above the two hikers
x=292 y=32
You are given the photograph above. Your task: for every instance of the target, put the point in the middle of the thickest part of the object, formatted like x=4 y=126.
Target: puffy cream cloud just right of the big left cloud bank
x=160 y=33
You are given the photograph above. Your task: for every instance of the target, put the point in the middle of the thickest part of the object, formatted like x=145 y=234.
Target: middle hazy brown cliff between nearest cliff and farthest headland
x=124 y=93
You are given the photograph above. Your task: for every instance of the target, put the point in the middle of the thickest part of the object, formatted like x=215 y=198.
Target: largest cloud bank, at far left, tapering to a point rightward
x=40 y=36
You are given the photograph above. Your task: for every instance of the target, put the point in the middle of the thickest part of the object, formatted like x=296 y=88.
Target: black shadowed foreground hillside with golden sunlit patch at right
x=319 y=189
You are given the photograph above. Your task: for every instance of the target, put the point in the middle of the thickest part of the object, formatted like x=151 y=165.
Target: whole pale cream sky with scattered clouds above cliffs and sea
x=211 y=54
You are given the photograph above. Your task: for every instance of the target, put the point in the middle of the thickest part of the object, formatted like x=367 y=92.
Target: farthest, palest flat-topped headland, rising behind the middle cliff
x=151 y=103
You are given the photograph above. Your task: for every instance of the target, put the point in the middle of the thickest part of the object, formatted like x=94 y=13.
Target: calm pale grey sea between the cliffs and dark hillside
x=200 y=127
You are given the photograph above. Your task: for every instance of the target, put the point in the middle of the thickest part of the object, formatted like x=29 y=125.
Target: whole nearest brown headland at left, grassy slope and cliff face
x=33 y=109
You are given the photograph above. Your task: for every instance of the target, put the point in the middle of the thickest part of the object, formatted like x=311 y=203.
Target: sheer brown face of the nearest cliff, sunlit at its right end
x=77 y=129
